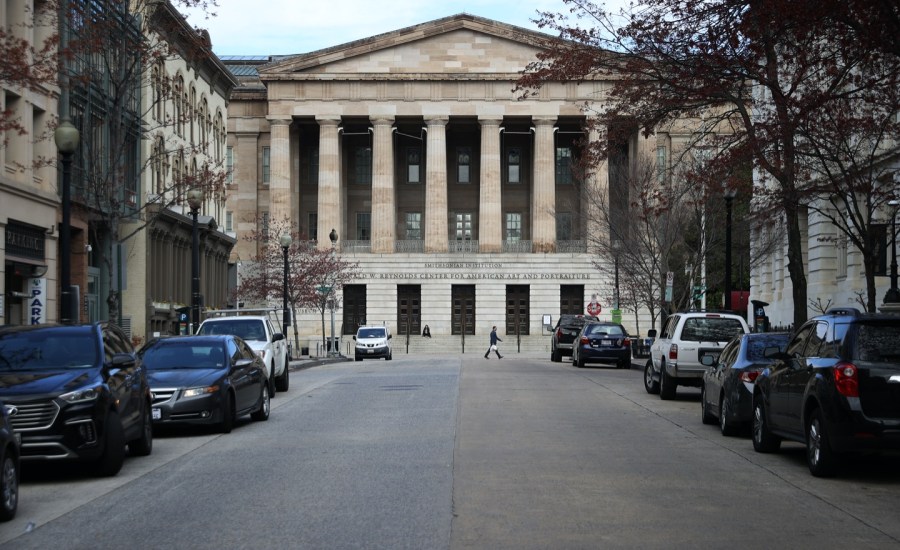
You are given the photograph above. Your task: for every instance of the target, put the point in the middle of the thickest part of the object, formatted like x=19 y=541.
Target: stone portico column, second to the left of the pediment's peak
x=384 y=213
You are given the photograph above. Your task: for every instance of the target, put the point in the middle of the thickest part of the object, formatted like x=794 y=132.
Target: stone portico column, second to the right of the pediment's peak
x=543 y=195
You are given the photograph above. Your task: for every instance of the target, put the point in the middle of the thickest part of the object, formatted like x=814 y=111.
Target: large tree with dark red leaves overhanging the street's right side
x=769 y=72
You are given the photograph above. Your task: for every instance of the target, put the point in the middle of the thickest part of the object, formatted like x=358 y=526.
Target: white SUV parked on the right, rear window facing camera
x=676 y=356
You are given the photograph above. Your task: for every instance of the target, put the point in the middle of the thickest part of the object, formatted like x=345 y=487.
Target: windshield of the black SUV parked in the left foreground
x=48 y=350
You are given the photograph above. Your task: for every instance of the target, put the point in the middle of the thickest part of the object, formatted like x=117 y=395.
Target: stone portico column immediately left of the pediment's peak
x=436 y=231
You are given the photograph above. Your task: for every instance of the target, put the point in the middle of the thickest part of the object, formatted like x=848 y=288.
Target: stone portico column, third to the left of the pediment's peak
x=329 y=207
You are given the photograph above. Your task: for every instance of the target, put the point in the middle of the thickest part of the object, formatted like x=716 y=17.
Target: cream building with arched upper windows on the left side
x=185 y=96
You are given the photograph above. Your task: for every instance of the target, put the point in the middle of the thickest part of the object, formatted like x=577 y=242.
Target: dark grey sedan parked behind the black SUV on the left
x=206 y=380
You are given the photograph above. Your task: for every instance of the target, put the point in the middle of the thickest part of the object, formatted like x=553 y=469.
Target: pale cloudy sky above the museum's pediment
x=266 y=27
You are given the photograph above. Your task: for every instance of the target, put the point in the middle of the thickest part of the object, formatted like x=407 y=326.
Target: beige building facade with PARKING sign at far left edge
x=29 y=202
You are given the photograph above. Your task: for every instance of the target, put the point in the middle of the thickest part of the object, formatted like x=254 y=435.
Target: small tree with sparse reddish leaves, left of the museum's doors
x=310 y=271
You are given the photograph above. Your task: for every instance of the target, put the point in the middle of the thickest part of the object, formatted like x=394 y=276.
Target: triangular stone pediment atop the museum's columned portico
x=461 y=44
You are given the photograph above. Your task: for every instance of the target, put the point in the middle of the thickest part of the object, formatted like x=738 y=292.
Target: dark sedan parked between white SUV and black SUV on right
x=726 y=395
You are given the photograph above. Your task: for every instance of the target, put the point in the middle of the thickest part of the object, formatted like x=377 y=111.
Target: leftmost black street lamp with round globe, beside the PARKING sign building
x=66 y=137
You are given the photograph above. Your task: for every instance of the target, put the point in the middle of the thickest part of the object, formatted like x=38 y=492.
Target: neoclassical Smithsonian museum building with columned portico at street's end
x=458 y=200
